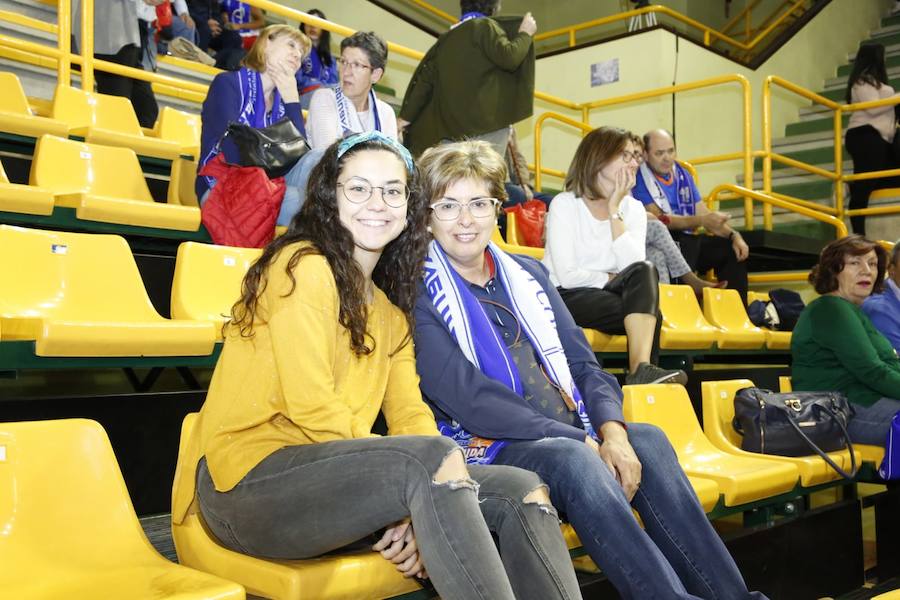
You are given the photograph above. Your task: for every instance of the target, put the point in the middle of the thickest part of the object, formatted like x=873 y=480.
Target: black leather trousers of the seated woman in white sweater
x=635 y=290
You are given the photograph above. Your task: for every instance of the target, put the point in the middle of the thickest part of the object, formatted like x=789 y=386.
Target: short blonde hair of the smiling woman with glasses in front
x=442 y=166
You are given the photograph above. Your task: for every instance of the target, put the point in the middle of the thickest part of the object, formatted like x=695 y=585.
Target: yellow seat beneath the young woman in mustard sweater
x=353 y=576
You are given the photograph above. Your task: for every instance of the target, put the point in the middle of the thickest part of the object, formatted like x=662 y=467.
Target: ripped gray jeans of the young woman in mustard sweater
x=304 y=501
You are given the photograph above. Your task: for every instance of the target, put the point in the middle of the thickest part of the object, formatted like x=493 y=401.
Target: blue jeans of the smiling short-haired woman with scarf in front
x=677 y=555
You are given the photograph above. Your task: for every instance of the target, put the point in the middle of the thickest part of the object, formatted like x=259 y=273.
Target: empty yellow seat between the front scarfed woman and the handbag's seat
x=740 y=479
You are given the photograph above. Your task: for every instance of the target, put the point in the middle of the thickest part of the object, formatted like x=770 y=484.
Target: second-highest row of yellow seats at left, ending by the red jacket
x=101 y=183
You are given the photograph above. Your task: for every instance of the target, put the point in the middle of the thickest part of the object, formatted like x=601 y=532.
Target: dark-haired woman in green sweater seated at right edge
x=835 y=346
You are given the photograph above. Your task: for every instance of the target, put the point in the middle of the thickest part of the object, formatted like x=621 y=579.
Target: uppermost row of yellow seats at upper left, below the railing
x=99 y=118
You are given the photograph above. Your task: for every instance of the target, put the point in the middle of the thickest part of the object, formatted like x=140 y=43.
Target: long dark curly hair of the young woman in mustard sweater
x=318 y=222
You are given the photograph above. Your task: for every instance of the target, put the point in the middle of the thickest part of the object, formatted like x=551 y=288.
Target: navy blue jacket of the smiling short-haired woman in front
x=457 y=389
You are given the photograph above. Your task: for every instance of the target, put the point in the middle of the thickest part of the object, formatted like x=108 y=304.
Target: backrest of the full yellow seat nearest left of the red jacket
x=67 y=166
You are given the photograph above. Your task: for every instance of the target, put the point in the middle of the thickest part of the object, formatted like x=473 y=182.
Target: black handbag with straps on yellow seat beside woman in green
x=795 y=423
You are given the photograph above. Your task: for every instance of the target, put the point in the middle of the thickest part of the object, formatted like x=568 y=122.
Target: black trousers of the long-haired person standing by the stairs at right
x=870 y=153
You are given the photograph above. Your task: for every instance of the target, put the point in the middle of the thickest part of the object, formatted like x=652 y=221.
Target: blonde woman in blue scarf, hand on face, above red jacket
x=261 y=93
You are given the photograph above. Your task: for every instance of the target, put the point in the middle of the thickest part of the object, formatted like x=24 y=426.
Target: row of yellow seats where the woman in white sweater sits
x=723 y=320
